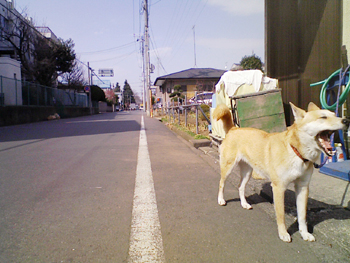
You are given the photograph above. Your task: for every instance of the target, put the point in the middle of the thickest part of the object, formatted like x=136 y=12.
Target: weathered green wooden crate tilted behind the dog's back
x=261 y=110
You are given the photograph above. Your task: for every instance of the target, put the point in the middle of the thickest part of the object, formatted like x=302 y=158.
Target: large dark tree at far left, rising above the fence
x=42 y=60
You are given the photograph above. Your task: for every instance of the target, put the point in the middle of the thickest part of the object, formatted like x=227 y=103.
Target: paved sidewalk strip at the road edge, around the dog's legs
x=328 y=205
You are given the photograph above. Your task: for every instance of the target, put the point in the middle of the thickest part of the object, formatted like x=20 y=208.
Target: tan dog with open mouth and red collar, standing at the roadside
x=284 y=158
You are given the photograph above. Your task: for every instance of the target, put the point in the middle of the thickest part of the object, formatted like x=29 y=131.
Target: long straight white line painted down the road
x=146 y=244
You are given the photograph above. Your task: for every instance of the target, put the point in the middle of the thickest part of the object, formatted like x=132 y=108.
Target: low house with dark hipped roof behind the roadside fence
x=191 y=80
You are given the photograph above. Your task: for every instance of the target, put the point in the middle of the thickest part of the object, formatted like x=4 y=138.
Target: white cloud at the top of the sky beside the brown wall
x=239 y=7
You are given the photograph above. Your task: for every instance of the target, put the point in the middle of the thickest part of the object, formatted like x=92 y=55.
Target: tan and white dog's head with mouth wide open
x=319 y=124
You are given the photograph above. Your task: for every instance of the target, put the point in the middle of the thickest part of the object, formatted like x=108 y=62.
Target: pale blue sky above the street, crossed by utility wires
x=183 y=33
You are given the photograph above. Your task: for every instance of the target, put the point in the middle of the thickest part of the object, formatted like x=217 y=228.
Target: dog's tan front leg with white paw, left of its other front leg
x=278 y=199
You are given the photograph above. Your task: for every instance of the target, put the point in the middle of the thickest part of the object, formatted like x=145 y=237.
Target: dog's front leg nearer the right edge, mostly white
x=302 y=194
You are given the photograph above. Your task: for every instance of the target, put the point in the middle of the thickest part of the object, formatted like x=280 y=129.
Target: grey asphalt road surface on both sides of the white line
x=67 y=190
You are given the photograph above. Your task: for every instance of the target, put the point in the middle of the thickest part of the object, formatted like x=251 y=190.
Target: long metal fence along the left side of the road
x=22 y=93
